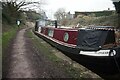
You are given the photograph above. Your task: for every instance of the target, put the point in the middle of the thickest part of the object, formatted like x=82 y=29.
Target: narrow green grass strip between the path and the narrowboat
x=42 y=46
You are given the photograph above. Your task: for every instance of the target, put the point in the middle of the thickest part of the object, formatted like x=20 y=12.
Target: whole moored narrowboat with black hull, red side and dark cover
x=95 y=46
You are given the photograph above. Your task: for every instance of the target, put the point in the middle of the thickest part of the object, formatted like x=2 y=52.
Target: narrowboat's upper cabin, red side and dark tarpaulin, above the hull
x=92 y=38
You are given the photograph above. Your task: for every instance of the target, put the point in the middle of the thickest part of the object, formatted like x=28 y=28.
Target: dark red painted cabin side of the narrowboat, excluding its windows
x=60 y=33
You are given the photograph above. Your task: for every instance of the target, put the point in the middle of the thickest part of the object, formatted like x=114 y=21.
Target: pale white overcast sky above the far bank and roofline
x=52 y=6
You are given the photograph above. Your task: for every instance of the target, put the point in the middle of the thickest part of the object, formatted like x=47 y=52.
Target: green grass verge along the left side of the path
x=6 y=38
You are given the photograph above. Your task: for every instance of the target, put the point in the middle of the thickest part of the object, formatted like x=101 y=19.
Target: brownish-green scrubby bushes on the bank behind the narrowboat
x=97 y=21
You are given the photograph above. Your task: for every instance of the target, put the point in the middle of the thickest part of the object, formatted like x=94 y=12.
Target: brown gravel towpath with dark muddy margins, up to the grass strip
x=23 y=61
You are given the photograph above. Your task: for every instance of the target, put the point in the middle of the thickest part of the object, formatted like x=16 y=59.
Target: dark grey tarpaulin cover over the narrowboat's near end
x=91 y=39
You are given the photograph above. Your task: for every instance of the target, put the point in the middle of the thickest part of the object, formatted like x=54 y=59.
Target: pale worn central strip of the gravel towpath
x=20 y=65
